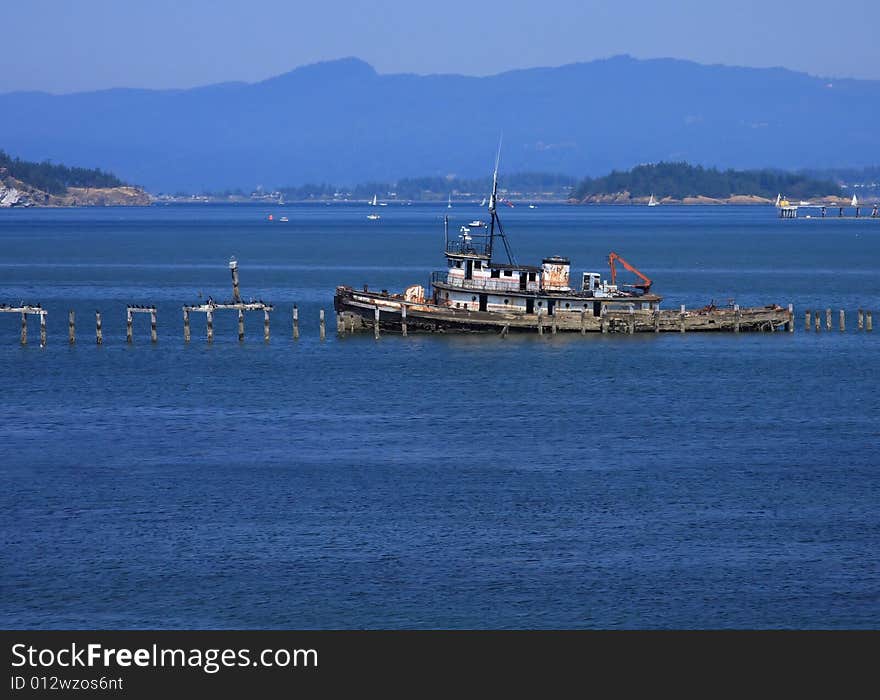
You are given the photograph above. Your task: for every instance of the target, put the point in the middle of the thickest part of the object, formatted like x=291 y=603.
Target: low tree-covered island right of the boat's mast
x=682 y=180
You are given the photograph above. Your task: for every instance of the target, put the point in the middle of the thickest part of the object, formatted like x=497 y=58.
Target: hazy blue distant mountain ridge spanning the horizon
x=340 y=121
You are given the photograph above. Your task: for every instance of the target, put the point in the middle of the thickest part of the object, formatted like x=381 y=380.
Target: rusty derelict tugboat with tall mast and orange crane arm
x=477 y=293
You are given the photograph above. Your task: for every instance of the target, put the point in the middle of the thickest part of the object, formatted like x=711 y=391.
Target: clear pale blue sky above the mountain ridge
x=64 y=46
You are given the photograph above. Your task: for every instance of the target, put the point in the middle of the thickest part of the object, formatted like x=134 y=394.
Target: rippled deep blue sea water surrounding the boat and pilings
x=469 y=482
